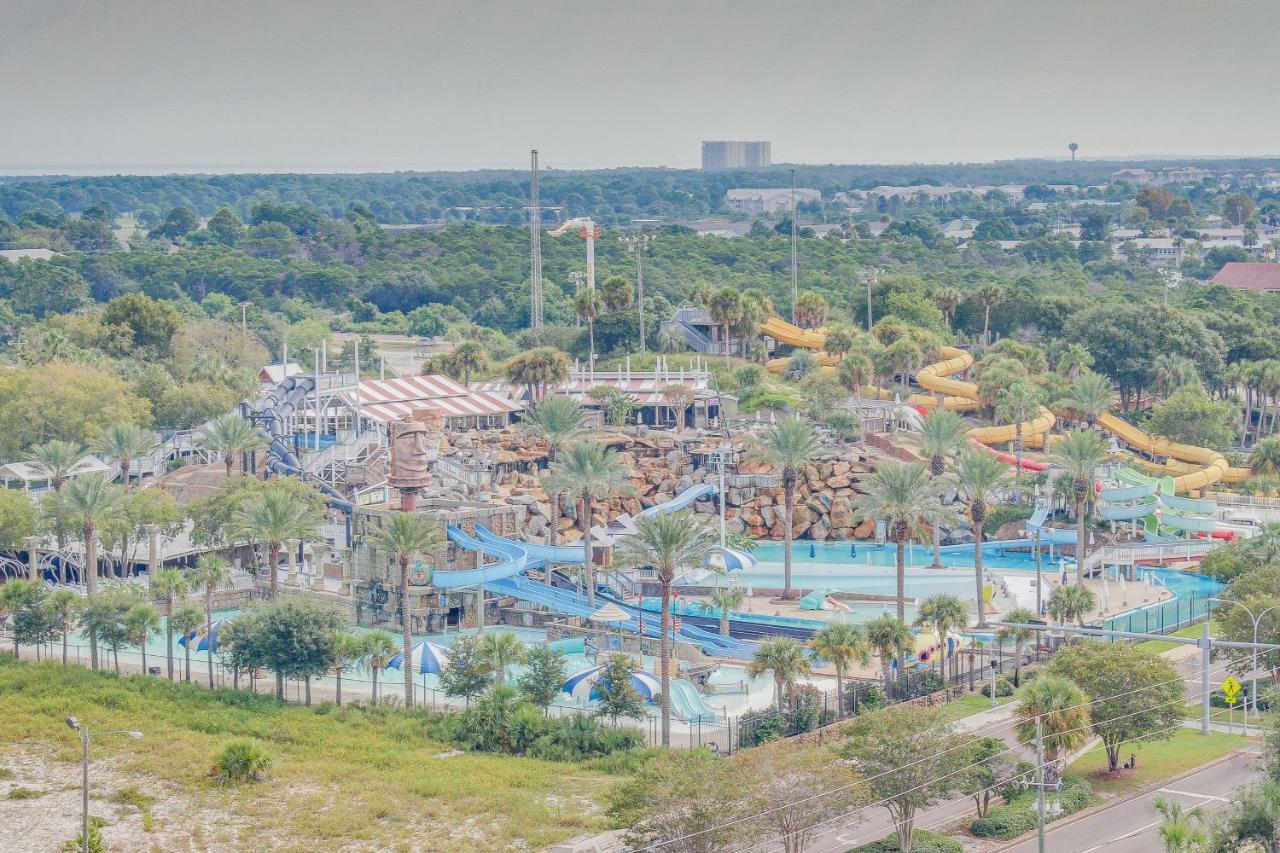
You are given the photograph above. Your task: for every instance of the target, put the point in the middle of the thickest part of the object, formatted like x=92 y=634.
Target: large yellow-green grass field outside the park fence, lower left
x=342 y=778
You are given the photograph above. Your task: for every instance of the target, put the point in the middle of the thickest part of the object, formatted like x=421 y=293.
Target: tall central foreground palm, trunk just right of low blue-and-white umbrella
x=669 y=544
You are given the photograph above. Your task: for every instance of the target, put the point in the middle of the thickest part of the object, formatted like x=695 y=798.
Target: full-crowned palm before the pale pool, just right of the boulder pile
x=903 y=495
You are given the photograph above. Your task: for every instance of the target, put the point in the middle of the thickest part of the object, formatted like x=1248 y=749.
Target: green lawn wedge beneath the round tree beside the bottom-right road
x=1158 y=760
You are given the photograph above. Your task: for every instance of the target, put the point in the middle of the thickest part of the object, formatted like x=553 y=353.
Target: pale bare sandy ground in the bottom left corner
x=175 y=820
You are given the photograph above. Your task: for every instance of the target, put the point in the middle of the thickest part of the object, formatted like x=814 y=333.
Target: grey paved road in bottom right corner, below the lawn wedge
x=1131 y=827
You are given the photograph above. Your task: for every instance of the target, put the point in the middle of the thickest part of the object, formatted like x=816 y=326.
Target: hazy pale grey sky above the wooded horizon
x=459 y=85
